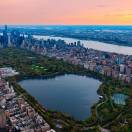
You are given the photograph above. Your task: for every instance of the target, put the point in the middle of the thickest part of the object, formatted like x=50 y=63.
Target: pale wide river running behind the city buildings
x=93 y=45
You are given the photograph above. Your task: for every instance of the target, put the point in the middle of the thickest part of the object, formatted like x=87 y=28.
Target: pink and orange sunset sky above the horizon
x=66 y=12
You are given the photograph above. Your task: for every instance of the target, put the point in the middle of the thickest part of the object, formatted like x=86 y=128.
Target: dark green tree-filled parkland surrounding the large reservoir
x=105 y=113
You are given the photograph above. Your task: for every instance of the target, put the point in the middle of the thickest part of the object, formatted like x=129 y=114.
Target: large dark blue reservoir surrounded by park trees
x=71 y=94
